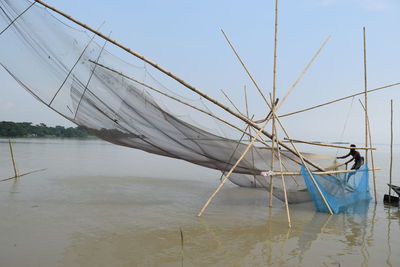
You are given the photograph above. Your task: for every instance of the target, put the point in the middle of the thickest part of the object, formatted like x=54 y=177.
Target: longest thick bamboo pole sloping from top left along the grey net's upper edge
x=190 y=87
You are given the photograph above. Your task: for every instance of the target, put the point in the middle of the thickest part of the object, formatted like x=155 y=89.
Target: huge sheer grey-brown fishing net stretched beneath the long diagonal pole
x=127 y=102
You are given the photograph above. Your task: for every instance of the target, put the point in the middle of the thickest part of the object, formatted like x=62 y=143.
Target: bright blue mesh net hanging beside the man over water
x=343 y=192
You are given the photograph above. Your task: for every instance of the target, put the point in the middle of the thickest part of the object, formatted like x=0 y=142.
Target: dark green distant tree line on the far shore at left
x=27 y=129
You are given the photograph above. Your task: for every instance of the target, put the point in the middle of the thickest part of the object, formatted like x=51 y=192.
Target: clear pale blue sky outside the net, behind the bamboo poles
x=185 y=38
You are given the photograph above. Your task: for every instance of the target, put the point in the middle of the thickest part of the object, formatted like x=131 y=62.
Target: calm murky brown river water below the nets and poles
x=102 y=205
